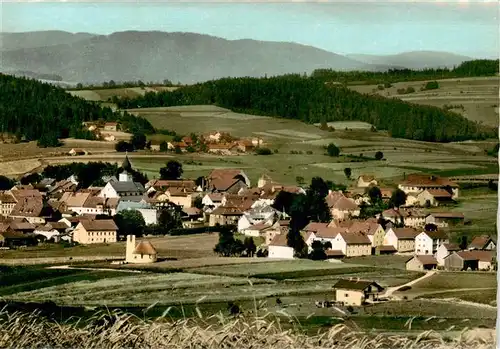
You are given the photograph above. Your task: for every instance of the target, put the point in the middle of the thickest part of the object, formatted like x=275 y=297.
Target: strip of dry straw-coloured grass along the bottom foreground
x=118 y=330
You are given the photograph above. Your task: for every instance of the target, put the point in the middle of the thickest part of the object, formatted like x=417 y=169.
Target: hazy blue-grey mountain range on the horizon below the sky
x=181 y=57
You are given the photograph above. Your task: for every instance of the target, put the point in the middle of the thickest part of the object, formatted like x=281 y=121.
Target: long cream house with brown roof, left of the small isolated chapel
x=95 y=231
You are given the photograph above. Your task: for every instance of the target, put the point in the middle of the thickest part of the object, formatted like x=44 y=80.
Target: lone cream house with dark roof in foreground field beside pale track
x=356 y=292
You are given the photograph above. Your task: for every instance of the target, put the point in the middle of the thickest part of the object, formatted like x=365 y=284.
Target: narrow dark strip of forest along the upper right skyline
x=478 y=67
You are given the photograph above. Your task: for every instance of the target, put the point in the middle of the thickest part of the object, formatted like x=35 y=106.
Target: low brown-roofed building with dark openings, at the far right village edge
x=470 y=260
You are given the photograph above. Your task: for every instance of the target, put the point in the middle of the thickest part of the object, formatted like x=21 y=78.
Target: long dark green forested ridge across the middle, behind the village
x=311 y=100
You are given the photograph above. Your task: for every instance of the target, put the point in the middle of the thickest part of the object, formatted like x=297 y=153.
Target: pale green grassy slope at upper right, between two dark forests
x=475 y=98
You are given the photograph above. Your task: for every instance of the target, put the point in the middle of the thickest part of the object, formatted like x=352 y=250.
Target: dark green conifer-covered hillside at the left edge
x=34 y=110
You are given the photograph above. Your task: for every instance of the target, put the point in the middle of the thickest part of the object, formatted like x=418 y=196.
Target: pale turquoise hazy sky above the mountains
x=375 y=27
